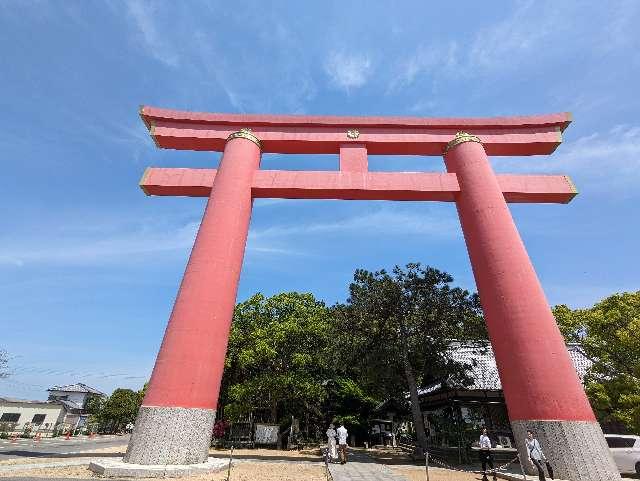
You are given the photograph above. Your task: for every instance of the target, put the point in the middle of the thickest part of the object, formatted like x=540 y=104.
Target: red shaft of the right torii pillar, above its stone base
x=538 y=378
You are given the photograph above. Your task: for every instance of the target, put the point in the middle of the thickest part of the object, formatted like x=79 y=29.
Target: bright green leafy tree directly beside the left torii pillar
x=277 y=356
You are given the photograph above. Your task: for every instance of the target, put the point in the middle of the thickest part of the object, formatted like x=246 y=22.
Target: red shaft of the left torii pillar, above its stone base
x=189 y=366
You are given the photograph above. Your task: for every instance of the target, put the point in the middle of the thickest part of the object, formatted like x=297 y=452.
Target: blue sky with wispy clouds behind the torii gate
x=89 y=266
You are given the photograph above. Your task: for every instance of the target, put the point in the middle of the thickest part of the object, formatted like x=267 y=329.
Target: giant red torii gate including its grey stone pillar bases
x=540 y=384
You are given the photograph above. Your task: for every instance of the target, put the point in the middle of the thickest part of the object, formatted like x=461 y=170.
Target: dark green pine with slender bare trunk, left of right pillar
x=397 y=328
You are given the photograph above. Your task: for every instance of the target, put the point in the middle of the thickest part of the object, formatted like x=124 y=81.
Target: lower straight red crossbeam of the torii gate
x=357 y=185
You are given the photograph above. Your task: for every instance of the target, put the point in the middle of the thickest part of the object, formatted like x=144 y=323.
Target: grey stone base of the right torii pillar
x=576 y=450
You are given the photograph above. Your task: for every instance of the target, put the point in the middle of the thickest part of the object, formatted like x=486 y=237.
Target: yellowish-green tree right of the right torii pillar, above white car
x=608 y=334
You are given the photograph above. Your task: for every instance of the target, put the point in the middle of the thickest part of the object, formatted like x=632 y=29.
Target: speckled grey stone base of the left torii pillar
x=171 y=435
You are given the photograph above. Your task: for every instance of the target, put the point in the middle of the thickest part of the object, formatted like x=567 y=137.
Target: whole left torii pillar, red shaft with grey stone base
x=175 y=422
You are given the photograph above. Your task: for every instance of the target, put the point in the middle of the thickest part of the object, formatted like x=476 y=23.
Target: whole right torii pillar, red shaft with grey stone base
x=541 y=388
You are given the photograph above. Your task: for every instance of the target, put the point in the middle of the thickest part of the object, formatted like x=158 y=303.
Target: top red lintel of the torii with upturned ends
x=302 y=134
